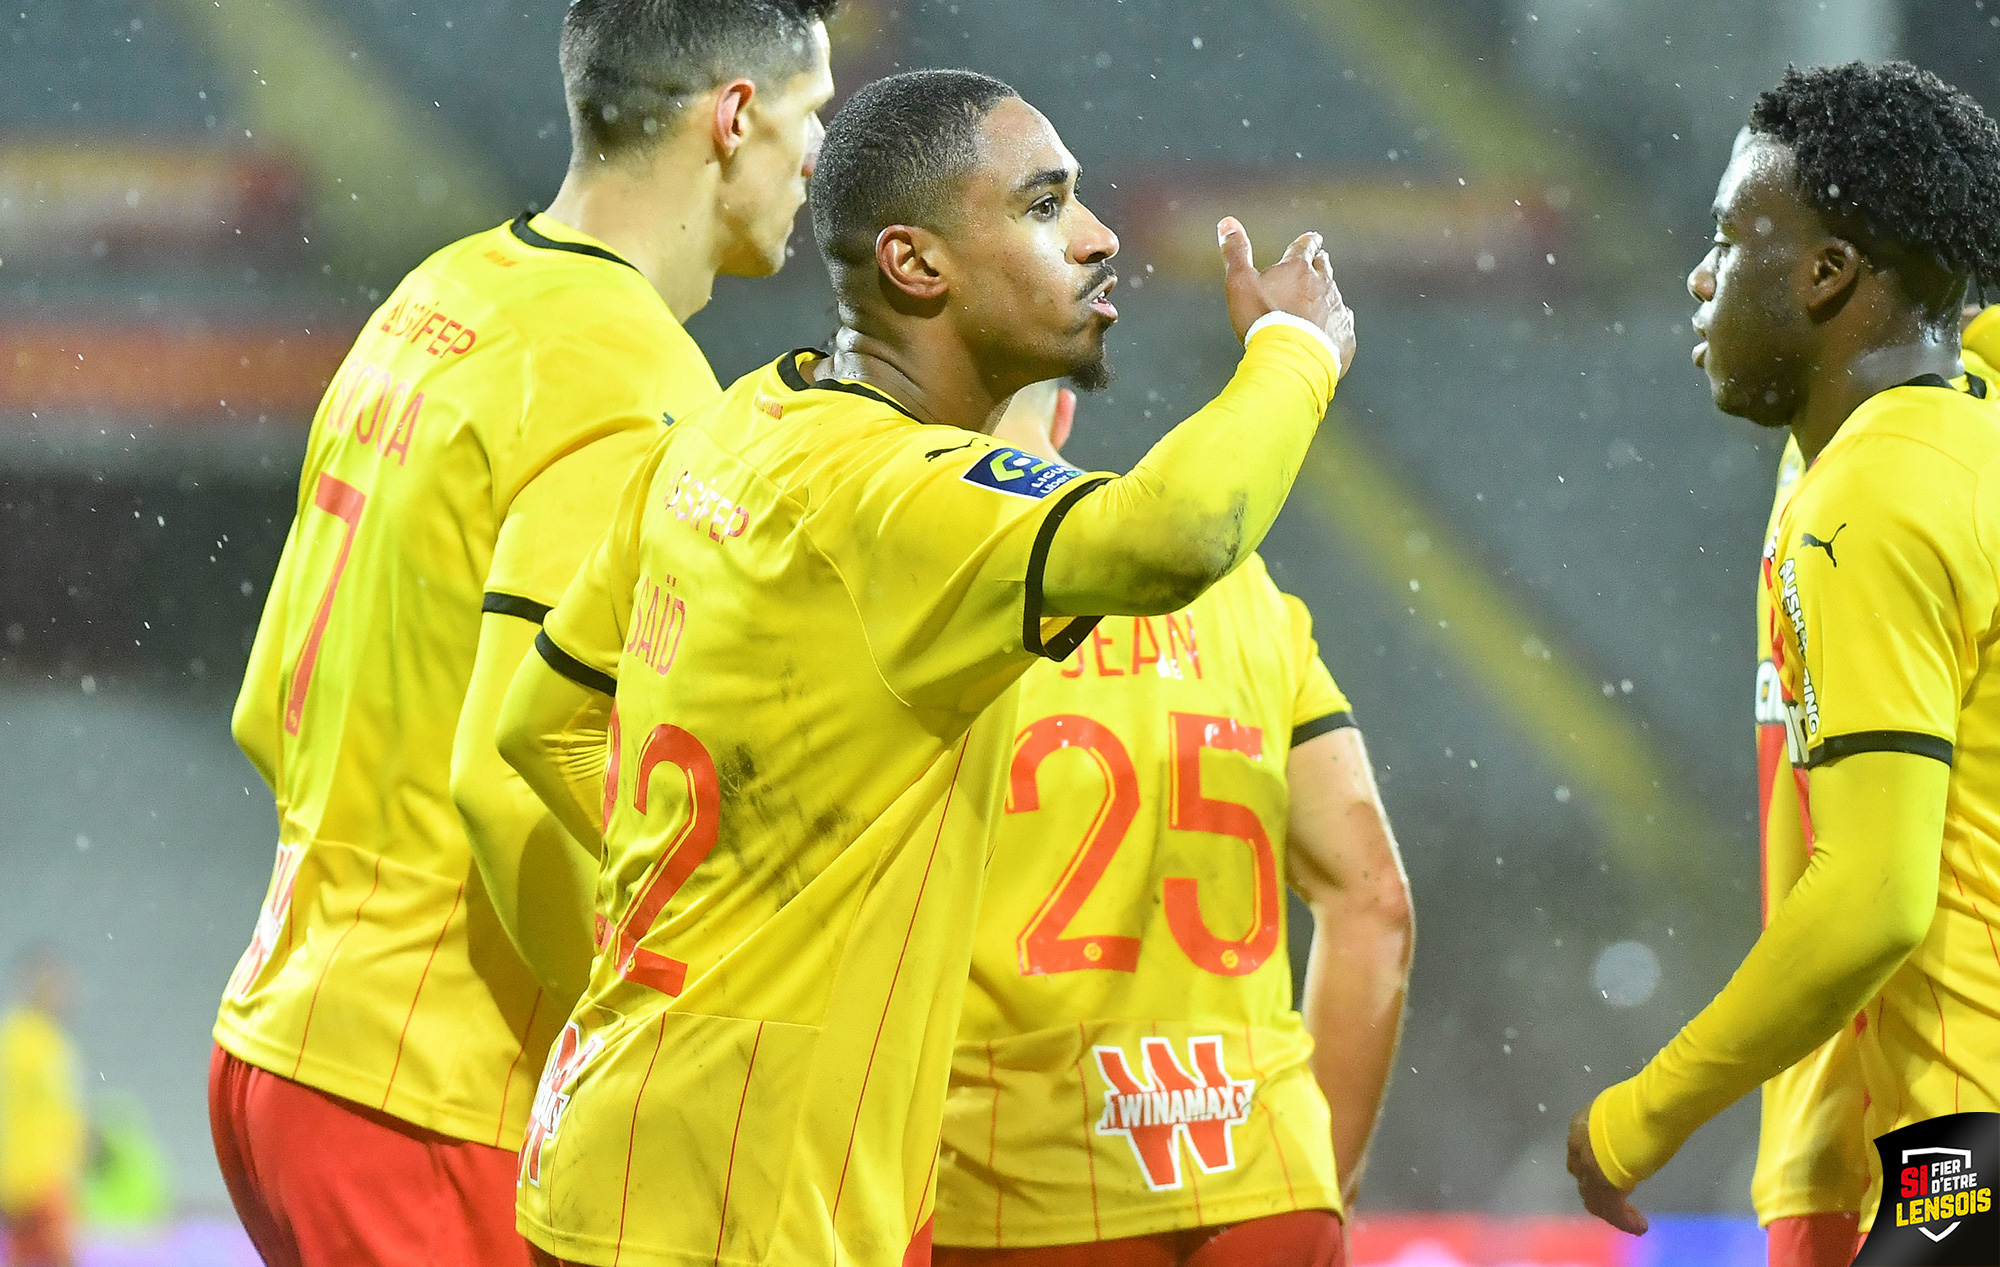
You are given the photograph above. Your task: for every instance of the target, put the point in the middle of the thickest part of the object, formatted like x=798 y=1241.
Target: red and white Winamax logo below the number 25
x=1175 y=1106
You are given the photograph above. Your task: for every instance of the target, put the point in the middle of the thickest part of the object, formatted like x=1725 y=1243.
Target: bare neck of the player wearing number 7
x=661 y=219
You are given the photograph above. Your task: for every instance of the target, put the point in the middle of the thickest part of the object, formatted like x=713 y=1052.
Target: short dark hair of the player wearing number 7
x=631 y=65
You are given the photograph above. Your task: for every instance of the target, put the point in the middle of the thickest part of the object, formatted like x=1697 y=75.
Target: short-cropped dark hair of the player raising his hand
x=895 y=155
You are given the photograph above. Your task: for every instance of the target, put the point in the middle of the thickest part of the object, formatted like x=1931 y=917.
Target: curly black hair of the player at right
x=1897 y=157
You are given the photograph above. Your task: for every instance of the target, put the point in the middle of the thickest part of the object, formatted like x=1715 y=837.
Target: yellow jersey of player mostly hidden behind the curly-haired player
x=1813 y=1156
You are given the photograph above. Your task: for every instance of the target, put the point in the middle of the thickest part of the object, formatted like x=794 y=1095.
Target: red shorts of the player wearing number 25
x=1305 y=1238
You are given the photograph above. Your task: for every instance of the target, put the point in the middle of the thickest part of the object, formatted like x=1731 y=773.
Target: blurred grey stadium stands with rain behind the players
x=1527 y=539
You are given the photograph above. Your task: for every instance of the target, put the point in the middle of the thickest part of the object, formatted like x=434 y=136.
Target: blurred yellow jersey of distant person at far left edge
x=43 y=1132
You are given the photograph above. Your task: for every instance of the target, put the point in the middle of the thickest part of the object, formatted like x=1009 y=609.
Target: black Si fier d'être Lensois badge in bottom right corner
x=1939 y=1196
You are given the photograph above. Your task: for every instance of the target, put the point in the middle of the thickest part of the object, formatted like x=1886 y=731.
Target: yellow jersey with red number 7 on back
x=467 y=455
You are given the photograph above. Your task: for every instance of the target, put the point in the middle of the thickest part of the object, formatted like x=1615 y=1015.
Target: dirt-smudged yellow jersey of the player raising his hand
x=811 y=611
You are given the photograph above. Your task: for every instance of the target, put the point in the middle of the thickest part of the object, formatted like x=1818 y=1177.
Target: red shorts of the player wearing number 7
x=323 y=1182
